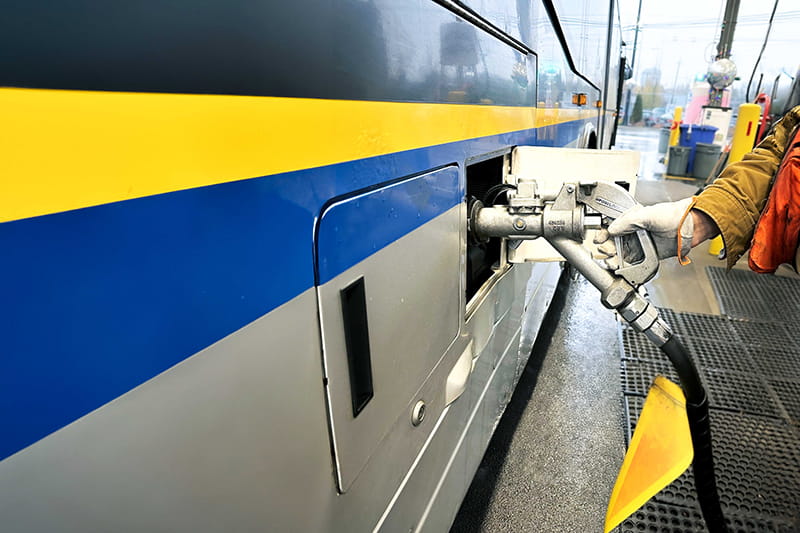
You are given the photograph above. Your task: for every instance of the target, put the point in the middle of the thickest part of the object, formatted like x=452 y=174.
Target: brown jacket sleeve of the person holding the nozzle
x=735 y=200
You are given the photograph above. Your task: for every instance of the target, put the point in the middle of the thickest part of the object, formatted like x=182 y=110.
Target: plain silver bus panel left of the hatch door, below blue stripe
x=231 y=439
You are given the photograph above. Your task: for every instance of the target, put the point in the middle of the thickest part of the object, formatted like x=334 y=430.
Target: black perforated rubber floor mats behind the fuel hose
x=751 y=369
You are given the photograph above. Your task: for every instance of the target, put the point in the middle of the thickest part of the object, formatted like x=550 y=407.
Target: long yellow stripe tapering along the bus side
x=64 y=150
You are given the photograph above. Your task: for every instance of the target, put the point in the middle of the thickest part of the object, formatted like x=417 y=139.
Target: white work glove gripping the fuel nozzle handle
x=660 y=220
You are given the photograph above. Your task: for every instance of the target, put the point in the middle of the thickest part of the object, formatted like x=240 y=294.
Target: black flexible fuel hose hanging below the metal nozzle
x=700 y=429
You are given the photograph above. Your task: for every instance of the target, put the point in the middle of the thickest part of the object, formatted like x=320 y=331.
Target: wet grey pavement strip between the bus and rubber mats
x=553 y=460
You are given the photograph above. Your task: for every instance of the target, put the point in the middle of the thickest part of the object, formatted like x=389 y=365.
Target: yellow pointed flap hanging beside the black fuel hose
x=660 y=451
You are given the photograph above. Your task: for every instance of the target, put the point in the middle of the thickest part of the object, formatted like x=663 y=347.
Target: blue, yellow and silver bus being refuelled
x=238 y=291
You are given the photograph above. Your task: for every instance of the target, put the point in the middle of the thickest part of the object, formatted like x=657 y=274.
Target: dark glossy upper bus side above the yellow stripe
x=350 y=50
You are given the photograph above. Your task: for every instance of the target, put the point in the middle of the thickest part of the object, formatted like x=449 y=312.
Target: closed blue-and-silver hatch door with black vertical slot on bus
x=391 y=309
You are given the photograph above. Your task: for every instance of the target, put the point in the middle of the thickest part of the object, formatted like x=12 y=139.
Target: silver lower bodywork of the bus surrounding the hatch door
x=236 y=437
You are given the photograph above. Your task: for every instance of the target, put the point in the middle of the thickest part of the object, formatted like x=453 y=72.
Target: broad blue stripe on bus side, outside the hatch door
x=97 y=301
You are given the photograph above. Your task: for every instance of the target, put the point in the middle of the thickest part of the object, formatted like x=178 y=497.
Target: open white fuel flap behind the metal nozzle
x=550 y=168
